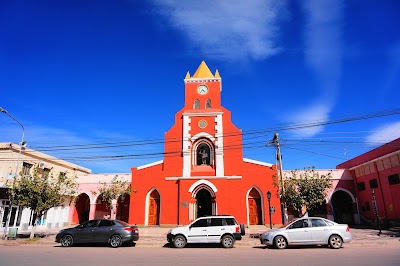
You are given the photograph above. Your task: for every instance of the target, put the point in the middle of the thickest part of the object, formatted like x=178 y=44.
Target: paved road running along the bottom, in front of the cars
x=367 y=254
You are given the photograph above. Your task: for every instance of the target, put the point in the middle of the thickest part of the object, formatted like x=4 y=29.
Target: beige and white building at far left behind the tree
x=28 y=159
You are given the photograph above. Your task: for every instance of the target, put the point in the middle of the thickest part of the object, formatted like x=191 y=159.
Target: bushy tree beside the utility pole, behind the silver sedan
x=305 y=189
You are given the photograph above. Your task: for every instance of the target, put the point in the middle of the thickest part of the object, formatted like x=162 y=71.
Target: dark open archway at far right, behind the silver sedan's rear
x=342 y=204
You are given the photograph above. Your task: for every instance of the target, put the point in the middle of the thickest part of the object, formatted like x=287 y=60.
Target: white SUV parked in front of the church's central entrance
x=210 y=229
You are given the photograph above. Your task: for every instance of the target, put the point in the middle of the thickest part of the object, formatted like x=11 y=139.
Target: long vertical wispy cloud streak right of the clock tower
x=323 y=53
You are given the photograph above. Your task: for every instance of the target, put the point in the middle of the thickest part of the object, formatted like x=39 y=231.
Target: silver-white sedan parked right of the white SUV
x=308 y=231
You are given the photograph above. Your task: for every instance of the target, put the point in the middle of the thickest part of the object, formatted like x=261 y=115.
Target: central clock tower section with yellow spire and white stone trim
x=202 y=143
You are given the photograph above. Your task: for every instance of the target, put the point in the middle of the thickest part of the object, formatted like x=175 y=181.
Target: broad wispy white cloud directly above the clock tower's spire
x=228 y=30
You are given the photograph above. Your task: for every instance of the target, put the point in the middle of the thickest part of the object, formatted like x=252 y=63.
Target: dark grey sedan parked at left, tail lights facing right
x=113 y=232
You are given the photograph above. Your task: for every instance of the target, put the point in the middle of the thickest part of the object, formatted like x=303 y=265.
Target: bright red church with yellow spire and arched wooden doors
x=203 y=171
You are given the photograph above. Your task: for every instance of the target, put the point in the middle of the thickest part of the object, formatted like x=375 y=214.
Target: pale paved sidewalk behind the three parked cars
x=157 y=237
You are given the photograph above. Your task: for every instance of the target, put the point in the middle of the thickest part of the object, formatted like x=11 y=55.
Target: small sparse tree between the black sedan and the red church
x=111 y=191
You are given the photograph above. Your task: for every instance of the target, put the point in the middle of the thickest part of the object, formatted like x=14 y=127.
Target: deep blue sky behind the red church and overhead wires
x=98 y=82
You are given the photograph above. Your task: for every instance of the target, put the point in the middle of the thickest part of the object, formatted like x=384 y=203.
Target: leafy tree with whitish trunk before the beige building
x=42 y=191
